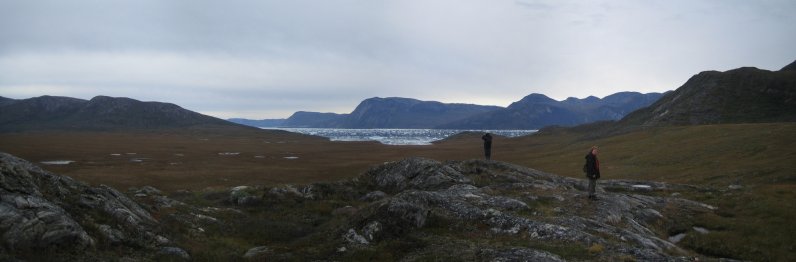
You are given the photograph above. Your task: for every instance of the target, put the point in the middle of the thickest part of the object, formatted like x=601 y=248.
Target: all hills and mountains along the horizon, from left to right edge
x=743 y=95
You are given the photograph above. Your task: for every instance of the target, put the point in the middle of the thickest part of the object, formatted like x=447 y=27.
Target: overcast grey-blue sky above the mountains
x=268 y=59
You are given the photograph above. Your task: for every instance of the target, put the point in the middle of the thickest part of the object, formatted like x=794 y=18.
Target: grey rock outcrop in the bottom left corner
x=40 y=210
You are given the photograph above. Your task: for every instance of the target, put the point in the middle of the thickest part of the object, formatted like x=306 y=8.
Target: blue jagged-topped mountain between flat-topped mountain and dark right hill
x=536 y=111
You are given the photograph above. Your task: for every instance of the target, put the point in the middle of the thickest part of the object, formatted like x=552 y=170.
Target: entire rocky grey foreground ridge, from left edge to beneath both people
x=412 y=210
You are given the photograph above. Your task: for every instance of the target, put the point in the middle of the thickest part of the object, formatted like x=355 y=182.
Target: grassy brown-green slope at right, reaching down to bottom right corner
x=753 y=223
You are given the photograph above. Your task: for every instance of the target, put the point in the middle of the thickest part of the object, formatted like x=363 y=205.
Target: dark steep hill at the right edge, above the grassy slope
x=743 y=95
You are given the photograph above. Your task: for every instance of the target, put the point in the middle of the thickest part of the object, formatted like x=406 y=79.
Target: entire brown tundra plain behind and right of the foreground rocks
x=754 y=222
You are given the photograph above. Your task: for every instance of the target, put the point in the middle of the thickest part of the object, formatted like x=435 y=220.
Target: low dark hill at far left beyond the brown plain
x=100 y=113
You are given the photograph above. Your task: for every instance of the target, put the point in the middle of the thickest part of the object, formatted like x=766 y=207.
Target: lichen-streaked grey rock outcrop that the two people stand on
x=509 y=201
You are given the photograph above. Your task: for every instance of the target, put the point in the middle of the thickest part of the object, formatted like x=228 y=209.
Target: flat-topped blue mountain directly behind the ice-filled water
x=395 y=112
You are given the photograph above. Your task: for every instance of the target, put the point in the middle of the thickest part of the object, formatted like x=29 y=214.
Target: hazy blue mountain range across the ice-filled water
x=532 y=112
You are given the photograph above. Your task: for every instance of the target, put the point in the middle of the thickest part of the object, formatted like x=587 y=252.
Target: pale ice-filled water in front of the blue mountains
x=396 y=136
